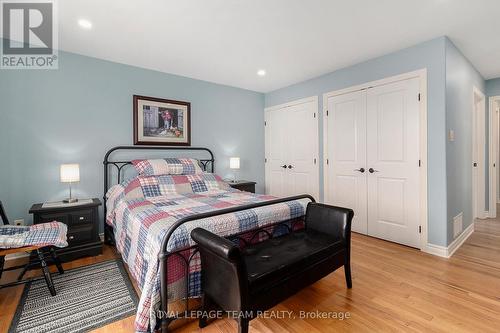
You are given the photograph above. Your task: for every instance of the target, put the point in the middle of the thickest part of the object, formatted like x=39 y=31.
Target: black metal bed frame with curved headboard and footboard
x=165 y=320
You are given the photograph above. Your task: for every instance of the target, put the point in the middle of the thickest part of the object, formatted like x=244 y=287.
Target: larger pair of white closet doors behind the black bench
x=372 y=155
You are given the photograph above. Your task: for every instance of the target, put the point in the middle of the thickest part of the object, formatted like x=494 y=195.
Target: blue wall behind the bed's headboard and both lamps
x=76 y=113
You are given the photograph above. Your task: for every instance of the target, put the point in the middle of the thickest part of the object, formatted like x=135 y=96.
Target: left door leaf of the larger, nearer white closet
x=346 y=153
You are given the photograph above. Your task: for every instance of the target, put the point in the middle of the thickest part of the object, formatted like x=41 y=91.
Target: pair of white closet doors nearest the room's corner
x=292 y=150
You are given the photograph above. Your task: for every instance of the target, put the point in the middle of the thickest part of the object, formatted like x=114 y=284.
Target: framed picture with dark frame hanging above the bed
x=161 y=122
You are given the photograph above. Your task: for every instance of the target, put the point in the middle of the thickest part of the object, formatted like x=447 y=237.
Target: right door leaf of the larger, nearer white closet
x=393 y=158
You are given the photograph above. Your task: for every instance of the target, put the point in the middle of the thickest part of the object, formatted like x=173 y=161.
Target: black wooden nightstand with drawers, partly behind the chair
x=83 y=227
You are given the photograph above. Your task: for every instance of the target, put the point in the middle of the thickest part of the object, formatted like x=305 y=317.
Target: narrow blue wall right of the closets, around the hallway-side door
x=461 y=76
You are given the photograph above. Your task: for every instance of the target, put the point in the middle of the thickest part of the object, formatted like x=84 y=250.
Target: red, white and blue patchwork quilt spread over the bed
x=141 y=211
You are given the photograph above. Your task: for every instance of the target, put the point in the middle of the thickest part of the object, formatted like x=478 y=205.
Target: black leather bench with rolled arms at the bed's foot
x=262 y=275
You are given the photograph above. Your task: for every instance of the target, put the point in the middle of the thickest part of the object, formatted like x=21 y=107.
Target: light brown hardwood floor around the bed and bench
x=395 y=288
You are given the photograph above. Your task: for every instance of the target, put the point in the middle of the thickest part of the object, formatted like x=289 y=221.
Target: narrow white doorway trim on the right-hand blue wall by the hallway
x=478 y=186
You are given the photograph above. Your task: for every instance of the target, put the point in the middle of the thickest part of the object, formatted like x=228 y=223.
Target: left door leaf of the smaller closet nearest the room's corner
x=276 y=141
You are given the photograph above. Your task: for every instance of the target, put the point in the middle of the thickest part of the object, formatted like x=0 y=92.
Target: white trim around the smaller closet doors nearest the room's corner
x=315 y=148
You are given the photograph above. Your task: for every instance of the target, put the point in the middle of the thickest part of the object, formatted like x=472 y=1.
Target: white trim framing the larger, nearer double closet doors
x=422 y=75
